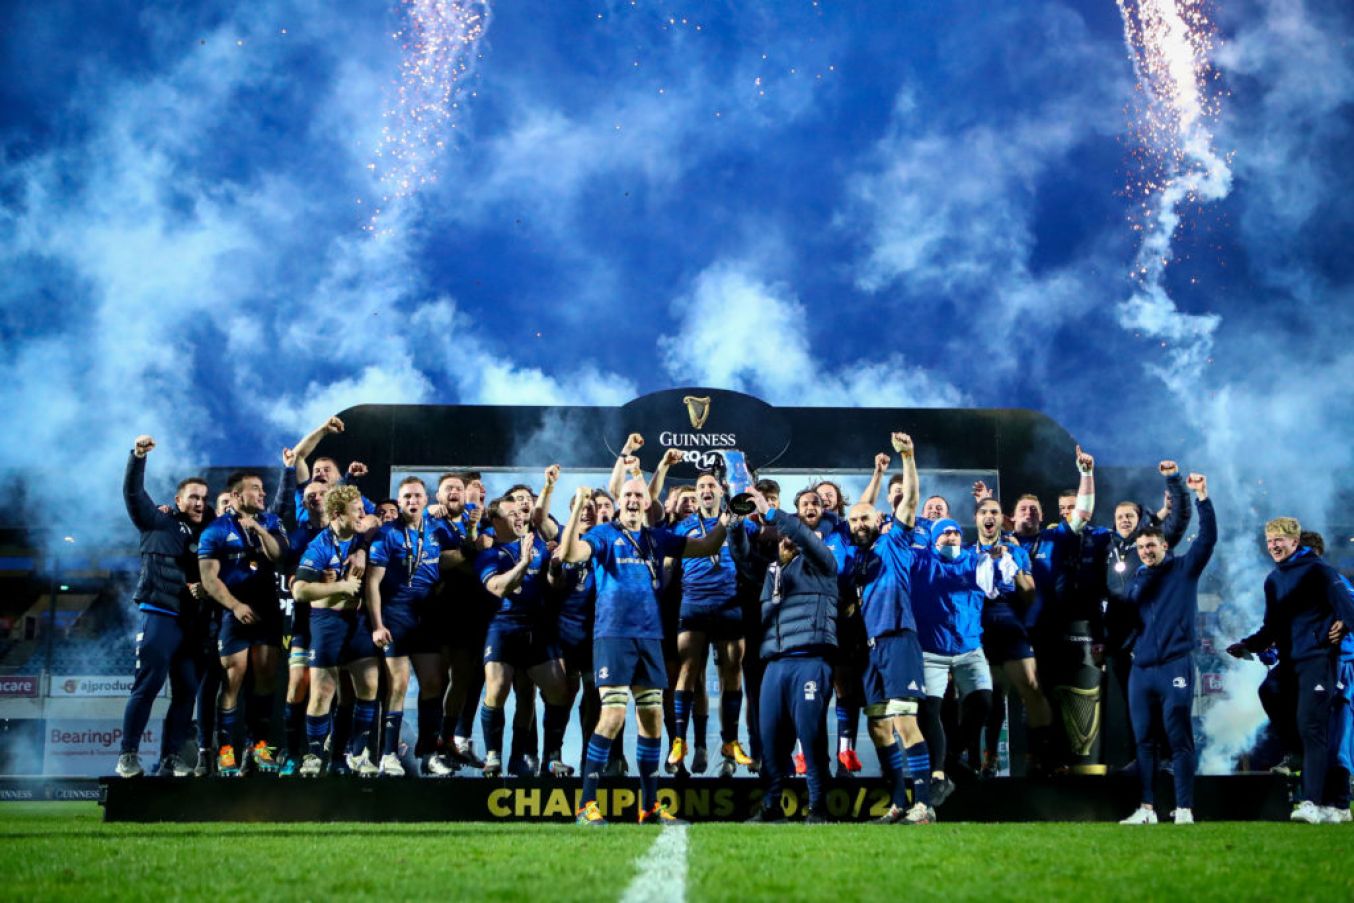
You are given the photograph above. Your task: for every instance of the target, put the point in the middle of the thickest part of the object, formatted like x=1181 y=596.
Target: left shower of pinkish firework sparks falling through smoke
x=439 y=41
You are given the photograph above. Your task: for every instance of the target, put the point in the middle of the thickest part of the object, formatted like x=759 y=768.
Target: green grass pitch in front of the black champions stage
x=64 y=851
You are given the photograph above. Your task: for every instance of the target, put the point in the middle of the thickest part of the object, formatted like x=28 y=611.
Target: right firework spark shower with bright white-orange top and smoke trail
x=1171 y=44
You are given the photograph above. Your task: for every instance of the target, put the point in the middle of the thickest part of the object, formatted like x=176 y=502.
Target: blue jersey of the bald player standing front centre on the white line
x=628 y=569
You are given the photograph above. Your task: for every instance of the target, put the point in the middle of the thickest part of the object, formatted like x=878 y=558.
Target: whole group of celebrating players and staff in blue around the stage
x=886 y=611
